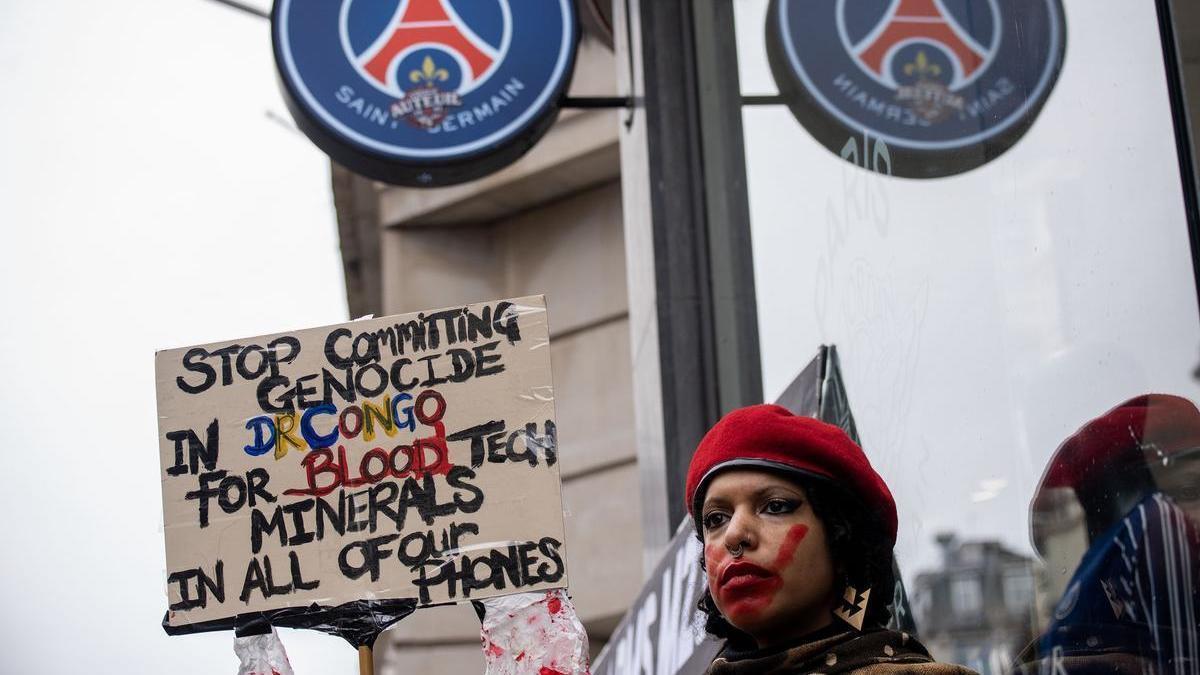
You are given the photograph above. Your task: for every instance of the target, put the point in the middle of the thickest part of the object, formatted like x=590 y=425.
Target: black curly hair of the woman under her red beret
x=860 y=548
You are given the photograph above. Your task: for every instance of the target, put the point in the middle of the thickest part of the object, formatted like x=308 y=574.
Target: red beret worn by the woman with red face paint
x=770 y=437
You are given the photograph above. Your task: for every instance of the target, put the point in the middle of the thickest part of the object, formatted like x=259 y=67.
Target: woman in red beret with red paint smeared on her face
x=799 y=533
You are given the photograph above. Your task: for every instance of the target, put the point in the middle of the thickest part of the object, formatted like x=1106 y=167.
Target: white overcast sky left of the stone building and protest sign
x=147 y=202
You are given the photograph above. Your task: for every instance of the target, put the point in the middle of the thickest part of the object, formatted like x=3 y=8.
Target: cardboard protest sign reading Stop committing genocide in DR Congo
x=407 y=457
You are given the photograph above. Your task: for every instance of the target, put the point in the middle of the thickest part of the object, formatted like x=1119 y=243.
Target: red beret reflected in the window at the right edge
x=1149 y=428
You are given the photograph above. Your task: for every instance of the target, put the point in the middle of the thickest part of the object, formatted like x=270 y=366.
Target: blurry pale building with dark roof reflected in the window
x=979 y=608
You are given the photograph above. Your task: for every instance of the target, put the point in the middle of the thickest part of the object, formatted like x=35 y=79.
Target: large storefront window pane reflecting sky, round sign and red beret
x=981 y=205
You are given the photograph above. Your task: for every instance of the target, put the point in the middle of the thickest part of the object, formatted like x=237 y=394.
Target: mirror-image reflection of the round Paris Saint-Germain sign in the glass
x=947 y=85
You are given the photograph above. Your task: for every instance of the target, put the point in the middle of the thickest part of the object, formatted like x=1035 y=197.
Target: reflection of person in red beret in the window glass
x=1108 y=498
